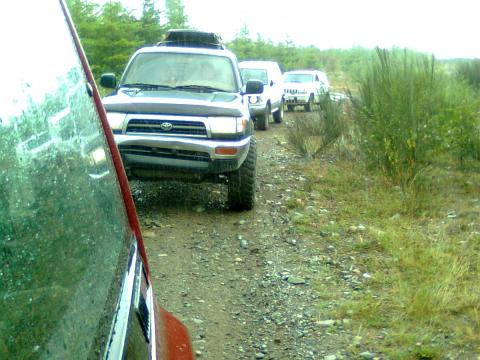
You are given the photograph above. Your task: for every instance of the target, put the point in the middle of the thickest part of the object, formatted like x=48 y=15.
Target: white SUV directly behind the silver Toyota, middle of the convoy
x=270 y=102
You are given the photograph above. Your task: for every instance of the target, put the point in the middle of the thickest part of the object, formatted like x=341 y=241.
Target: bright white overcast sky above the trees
x=446 y=28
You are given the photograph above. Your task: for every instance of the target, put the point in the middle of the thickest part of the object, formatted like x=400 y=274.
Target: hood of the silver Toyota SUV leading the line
x=175 y=102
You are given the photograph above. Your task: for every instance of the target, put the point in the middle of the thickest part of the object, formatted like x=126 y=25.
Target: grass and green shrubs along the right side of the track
x=403 y=208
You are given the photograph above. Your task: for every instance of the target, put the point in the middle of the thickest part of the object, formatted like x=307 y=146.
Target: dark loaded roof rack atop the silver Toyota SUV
x=192 y=38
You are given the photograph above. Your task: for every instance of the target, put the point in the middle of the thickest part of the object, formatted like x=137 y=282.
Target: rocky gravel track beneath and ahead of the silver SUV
x=246 y=284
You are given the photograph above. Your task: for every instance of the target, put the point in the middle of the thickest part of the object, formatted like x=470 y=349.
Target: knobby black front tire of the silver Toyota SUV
x=241 y=183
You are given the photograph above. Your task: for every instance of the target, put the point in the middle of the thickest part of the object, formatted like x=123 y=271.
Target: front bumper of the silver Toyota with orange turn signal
x=183 y=154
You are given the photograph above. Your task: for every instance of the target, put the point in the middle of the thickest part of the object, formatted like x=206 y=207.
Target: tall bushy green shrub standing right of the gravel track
x=401 y=99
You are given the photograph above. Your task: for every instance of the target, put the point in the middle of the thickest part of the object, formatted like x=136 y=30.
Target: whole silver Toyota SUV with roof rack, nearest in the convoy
x=180 y=112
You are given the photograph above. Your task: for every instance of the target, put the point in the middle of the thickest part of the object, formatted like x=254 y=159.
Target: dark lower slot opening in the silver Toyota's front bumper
x=164 y=153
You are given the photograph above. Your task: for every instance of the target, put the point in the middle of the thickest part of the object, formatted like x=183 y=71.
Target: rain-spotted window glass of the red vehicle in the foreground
x=64 y=242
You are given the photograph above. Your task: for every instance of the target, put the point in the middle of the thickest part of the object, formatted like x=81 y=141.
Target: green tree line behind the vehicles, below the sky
x=110 y=33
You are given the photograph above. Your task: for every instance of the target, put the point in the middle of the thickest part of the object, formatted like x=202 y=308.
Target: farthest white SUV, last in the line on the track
x=304 y=87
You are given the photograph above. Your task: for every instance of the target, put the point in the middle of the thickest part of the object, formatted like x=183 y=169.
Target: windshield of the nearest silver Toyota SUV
x=193 y=71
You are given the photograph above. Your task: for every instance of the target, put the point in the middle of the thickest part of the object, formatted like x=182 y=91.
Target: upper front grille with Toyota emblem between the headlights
x=176 y=128
